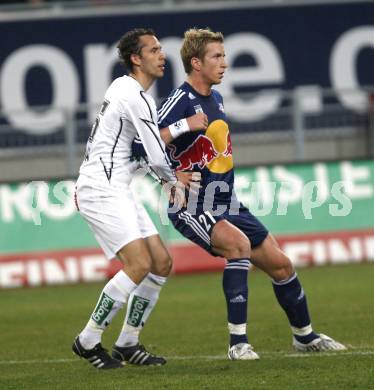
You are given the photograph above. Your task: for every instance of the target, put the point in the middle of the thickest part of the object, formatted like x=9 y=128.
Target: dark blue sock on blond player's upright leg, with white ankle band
x=235 y=287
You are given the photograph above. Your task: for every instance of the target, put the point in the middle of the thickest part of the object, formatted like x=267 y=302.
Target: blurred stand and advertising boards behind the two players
x=299 y=95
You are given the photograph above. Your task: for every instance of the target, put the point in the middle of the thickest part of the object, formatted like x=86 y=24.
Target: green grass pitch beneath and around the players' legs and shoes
x=38 y=325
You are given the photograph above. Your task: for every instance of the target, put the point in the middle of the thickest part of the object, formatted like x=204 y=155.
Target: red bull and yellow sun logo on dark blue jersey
x=212 y=150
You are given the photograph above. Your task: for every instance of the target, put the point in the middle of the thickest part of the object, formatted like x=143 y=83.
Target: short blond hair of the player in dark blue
x=194 y=45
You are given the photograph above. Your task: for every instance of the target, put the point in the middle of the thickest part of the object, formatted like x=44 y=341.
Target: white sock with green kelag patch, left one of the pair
x=112 y=298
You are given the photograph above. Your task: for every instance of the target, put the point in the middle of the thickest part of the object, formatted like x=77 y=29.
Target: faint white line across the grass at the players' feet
x=271 y=355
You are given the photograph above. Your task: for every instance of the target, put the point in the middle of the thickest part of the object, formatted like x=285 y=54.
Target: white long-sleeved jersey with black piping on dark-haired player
x=127 y=112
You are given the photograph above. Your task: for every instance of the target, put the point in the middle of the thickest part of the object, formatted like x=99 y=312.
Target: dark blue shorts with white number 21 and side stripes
x=198 y=226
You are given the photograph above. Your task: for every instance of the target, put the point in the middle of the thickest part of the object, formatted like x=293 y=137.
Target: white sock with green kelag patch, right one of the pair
x=140 y=305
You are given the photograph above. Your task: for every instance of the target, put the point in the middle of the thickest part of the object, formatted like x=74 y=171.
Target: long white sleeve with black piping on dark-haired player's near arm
x=140 y=114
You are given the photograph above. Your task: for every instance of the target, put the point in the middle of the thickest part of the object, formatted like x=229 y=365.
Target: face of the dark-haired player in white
x=152 y=57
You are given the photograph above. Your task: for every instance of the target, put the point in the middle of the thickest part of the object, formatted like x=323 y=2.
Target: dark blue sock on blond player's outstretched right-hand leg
x=291 y=297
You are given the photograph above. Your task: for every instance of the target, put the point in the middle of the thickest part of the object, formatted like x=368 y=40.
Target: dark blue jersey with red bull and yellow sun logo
x=208 y=152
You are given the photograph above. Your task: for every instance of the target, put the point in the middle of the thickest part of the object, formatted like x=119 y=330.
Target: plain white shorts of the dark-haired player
x=113 y=214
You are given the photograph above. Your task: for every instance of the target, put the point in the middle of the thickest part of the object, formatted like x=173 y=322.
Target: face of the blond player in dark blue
x=213 y=65
